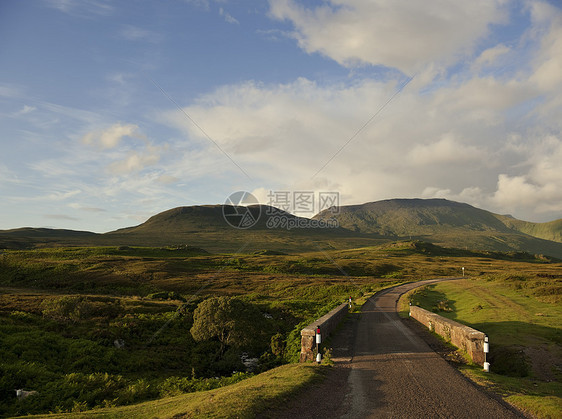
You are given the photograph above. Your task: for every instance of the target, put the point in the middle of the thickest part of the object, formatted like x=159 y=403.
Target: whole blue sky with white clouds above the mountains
x=113 y=111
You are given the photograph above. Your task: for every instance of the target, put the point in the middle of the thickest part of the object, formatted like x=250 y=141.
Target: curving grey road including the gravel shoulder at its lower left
x=386 y=370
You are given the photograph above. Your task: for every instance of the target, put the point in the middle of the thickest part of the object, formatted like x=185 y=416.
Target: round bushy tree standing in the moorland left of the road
x=232 y=321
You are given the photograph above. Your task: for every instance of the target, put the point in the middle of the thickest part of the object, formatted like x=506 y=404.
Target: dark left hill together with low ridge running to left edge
x=200 y=226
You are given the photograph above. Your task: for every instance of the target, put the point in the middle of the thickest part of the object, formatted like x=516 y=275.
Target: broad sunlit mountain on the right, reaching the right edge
x=447 y=223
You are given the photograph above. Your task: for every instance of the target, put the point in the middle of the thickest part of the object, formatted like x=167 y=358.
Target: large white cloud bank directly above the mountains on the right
x=456 y=141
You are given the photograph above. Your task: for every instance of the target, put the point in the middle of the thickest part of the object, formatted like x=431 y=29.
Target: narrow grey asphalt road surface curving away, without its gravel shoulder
x=394 y=373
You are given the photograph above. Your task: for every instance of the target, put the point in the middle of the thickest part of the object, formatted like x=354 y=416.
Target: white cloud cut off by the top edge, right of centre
x=395 y=33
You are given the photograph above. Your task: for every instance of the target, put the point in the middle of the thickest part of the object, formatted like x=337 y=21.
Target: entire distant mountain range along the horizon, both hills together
x=439 y=221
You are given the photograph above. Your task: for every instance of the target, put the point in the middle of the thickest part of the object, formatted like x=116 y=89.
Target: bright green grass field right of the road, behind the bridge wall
x=521 y=315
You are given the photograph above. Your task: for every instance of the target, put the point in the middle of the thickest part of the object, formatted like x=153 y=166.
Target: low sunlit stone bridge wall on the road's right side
x=464 y=337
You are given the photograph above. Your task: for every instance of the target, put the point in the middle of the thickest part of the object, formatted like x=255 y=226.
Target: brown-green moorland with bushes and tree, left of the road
x=102 y=327
